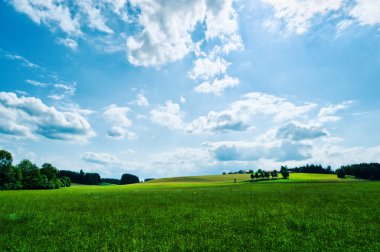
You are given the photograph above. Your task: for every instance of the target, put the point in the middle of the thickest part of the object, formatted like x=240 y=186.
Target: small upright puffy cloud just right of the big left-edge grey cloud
x=117 y=117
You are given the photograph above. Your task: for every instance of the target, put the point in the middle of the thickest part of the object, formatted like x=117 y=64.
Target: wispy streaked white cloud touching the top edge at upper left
x=50 y=13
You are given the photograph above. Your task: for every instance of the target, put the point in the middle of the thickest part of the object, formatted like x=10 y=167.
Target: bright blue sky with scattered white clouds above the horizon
x=162 y=88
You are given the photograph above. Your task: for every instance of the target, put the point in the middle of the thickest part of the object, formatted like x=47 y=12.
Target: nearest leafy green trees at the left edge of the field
x=27 y=175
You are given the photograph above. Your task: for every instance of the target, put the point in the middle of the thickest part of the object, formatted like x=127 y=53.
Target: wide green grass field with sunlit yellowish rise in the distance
x=204 y=213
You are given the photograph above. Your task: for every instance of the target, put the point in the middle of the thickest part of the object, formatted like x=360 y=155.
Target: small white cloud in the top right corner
x=366 y=12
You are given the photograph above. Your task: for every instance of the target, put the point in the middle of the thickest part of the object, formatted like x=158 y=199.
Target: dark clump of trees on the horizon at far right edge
x=369 y=171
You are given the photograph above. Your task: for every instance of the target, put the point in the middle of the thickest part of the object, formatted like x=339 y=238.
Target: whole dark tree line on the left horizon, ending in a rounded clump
x=27 y=175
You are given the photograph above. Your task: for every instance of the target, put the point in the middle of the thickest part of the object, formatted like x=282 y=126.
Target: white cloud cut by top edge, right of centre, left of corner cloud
x=298 y=14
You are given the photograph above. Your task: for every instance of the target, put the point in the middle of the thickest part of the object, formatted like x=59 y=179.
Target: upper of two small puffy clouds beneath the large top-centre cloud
x=207 y=68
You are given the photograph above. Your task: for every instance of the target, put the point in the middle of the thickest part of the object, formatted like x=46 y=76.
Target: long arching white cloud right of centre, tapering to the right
x=239 y=115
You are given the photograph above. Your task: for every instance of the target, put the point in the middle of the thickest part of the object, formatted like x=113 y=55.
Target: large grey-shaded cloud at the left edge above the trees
x=29 y=117
